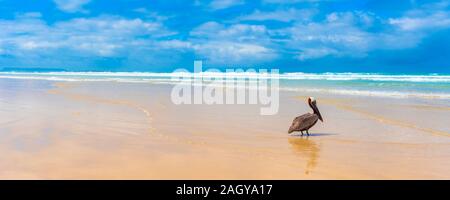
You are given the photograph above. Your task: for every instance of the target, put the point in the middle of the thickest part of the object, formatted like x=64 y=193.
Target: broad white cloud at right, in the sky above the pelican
x=349 y=34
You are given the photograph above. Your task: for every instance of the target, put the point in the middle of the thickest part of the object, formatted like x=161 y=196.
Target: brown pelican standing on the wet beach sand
x=306 y=121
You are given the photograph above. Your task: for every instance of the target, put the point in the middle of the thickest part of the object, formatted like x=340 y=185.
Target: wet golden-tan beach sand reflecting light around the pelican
x=110 y=130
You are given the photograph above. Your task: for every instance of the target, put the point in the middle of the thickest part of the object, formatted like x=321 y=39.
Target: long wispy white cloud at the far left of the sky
x=100 y=36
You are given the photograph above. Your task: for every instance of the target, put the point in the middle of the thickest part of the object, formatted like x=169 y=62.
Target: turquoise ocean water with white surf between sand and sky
x=430 y=86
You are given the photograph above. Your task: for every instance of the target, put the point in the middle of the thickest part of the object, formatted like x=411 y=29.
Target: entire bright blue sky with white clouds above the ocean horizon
x=409 y=36
